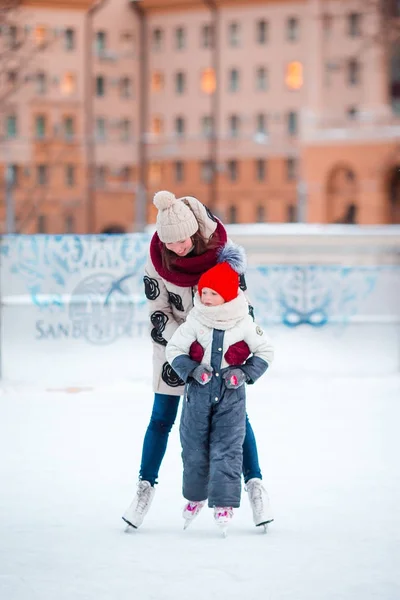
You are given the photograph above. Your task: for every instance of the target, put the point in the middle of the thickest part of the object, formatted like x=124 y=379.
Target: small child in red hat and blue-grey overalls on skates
x=213 y=421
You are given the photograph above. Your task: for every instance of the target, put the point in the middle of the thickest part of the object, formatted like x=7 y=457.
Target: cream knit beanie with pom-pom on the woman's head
x=175 y=221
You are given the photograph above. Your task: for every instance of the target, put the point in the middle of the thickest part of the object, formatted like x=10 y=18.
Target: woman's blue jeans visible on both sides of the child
x=155 y=442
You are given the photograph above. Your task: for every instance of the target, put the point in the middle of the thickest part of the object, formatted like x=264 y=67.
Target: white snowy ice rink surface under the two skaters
x=68 y=465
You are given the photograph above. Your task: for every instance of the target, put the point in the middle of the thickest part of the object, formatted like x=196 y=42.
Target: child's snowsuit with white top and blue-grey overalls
x=213 y=417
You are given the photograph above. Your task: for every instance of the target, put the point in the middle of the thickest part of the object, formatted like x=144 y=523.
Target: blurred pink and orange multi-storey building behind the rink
x=268 y=111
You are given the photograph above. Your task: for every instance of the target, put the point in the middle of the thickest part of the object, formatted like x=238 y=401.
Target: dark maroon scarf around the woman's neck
x=188 y=269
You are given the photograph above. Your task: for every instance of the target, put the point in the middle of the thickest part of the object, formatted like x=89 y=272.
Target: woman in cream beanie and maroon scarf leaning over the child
x=185 y=246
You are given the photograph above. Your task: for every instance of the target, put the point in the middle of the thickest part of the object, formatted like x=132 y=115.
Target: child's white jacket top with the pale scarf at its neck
x=232 y=318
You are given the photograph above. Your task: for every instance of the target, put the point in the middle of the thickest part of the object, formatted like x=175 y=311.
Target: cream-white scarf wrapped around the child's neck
x=222 y=317
